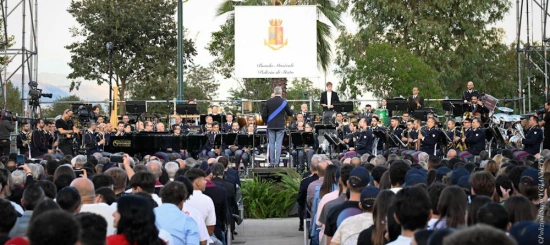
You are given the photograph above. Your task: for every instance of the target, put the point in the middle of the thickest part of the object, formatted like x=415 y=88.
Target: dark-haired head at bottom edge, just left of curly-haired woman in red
x=94 y=227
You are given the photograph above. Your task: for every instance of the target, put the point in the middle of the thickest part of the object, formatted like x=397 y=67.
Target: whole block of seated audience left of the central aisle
x=93 y=201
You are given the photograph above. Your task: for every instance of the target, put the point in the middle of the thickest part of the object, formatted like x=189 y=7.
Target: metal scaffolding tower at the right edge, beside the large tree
x=531 y=44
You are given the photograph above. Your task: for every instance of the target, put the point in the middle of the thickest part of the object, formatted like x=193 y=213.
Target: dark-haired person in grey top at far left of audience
x=32 y=196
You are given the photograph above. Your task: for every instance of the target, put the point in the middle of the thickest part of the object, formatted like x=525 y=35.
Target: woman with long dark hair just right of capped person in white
x=375 y=234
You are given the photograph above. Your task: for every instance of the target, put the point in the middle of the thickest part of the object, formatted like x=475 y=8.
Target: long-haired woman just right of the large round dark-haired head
x=452 y=206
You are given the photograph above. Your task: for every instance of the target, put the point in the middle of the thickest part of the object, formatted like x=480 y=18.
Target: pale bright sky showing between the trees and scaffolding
x=200 y=20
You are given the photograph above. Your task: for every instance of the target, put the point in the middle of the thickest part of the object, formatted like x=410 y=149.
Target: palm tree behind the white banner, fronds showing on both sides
x=222 y=46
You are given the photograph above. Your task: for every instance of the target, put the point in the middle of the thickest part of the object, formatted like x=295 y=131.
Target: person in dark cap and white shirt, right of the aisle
x=348 y=231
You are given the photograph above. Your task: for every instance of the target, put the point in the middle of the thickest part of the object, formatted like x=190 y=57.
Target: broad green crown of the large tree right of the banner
x=454 y=37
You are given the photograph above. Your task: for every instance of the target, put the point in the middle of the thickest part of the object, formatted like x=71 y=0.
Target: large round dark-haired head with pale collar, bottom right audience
x=412 y=210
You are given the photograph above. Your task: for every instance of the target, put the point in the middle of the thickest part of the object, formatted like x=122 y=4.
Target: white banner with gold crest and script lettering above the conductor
x=275 y=41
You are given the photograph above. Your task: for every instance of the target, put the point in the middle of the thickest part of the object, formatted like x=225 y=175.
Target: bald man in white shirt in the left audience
x=86 y=190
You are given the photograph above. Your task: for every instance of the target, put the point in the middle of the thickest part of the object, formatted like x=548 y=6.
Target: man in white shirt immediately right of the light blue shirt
x=200 y=201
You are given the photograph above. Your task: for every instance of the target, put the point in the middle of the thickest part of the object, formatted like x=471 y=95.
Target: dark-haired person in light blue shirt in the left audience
x=169 y=216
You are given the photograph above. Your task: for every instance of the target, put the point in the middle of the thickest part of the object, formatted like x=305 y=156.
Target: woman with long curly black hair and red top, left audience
x=135 y=223
